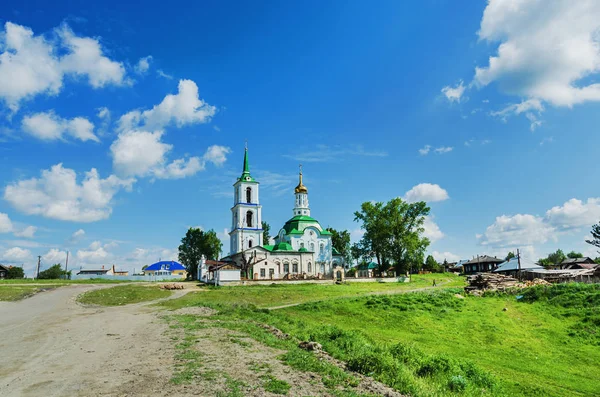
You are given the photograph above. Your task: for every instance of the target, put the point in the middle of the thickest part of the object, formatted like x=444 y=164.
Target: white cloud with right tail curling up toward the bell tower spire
x=142 y=153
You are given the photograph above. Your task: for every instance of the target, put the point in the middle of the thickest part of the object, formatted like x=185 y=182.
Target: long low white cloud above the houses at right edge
x=529 y=230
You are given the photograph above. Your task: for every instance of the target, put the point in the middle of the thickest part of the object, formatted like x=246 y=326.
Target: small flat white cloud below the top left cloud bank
x=49 y=126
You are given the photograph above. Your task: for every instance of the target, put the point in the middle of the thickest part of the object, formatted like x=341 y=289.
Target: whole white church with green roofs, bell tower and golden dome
x=302 y=249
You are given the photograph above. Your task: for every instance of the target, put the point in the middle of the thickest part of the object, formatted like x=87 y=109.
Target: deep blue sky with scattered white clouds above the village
x=122 y=126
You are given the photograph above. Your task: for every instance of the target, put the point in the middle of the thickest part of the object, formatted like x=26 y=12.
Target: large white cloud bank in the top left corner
x=31 y=65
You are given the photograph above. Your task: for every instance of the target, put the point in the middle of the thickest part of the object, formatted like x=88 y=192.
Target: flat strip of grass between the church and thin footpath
x=281 y=294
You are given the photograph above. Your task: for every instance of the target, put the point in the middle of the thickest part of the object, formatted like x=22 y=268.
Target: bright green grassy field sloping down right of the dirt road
x=546 y=343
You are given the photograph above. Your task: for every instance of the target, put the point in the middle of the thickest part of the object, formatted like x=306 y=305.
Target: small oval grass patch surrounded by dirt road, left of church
x=122 y=295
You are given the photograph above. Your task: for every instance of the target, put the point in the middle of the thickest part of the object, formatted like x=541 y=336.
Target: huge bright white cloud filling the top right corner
x=546 y=49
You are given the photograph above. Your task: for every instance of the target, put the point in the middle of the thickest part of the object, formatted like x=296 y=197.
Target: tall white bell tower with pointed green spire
x=246 y=213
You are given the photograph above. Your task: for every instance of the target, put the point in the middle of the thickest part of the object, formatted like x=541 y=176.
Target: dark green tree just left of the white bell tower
x=195 y=244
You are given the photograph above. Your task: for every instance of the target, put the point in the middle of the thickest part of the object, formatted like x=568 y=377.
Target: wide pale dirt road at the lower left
x=52 y=346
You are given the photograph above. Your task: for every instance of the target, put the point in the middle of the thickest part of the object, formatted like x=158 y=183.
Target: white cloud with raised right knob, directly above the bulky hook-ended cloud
x=183 y=108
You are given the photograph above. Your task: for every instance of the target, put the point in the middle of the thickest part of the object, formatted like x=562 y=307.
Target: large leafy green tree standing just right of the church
x=393 y=233
